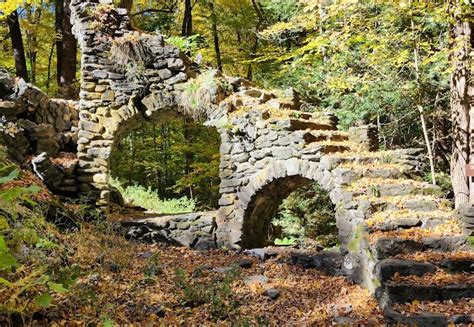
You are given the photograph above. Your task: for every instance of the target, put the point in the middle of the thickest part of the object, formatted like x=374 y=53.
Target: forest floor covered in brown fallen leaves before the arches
x=135 y=284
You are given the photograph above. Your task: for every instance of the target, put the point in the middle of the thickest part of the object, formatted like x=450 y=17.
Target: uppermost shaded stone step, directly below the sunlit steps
x=386 y=247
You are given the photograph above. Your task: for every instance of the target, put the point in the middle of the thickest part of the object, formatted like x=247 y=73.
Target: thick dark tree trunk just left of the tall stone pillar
x=66 y=48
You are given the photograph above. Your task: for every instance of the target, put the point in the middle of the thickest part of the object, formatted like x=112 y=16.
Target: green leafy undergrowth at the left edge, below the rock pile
x=31 y=252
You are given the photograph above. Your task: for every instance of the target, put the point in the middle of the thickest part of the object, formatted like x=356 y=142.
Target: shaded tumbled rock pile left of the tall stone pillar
x=46 y=128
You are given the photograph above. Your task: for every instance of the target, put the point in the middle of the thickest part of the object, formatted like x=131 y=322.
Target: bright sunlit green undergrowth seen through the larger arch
x=150 y=200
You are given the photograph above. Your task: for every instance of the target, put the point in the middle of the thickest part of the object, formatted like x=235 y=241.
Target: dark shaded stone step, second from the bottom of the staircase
x=407 y=292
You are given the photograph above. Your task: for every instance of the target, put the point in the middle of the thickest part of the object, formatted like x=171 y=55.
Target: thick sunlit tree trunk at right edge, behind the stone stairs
x=462 y=93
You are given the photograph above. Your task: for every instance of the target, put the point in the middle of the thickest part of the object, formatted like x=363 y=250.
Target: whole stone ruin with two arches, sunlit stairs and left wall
x=269 y=148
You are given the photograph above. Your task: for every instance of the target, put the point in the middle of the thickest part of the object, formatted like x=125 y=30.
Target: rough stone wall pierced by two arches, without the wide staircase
x=264 y=136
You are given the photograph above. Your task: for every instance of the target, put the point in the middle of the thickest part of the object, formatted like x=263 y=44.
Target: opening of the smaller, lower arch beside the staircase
x=290 y=211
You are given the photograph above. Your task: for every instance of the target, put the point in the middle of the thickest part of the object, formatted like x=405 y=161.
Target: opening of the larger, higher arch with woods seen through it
x=167 y=164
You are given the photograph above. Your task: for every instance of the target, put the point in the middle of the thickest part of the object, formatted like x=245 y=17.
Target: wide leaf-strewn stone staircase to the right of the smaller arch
x=415 y=244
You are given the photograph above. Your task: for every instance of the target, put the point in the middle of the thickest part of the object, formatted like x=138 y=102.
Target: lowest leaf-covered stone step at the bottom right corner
x=430 y=313
